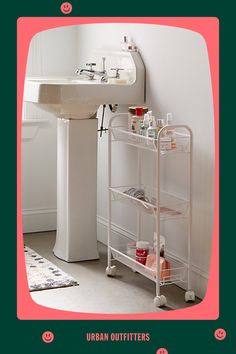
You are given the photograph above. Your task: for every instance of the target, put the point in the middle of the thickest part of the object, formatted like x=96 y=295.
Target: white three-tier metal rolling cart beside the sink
x=162 y=206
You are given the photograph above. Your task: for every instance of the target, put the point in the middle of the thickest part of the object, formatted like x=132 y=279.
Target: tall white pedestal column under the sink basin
x=76 y=238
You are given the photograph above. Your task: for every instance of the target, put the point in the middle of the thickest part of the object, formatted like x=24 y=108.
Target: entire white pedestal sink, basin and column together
x=74 y=101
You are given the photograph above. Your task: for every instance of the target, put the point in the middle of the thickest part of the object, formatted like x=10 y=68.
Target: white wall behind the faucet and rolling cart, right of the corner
x=178 y=81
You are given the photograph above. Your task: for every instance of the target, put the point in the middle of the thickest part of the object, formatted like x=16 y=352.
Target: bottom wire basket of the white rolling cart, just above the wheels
x=177 y=270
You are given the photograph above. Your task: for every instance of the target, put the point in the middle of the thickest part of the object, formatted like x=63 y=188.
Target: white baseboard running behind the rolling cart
x=199 y=276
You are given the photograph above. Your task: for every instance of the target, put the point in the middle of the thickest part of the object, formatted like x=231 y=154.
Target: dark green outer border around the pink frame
x=177 y=336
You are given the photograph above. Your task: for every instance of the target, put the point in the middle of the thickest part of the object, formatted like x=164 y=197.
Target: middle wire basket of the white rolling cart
x=171 y=207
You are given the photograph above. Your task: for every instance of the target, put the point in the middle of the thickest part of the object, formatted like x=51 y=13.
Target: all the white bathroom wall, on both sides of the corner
x=178 y=81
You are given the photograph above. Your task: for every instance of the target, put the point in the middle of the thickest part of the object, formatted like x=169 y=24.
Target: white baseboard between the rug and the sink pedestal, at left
x=36 y=220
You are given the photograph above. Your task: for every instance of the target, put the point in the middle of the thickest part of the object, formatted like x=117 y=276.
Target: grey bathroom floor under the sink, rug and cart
x=128 y=292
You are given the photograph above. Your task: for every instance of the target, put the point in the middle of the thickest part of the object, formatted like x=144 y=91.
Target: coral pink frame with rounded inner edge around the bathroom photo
x=208 y=27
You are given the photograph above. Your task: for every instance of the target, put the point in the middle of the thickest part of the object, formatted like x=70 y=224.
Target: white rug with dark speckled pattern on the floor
x=43 y=274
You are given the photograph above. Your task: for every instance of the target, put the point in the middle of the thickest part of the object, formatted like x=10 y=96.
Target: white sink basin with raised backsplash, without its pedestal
x=79 y=98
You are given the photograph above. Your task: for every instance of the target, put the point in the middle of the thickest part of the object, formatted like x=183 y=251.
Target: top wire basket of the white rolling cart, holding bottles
x=122 y=134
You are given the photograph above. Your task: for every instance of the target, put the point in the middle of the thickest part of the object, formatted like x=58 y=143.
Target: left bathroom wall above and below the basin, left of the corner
x=51 y=53
